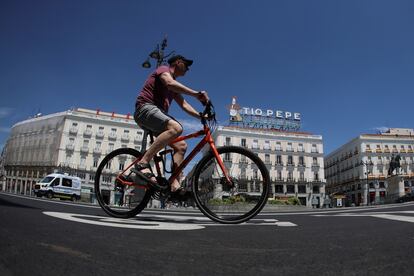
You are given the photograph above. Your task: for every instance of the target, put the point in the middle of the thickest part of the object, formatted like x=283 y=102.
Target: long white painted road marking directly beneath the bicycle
x=160 y=222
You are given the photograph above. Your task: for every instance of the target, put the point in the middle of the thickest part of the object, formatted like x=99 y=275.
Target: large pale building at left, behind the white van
x=72 y=142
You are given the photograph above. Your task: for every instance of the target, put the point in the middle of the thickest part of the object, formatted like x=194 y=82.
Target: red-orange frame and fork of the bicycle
x=207 y=139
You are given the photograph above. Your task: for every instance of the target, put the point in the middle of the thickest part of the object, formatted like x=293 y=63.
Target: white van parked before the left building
x=59 y=185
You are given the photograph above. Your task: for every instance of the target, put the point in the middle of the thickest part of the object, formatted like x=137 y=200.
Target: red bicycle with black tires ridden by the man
x=229 y=184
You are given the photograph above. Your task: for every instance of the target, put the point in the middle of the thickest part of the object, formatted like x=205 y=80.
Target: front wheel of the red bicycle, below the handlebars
x=239 y=200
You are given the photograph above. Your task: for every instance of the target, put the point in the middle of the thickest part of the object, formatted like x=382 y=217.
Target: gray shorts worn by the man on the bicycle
x=151 y=117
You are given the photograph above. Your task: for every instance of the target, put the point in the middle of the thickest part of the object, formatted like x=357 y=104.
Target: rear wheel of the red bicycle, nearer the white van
x=116 y=199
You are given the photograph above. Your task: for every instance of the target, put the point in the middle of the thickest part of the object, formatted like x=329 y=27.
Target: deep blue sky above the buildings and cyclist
x=346 y=66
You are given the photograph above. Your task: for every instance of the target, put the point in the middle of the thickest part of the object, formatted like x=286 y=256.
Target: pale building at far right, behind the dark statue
x=358 y=170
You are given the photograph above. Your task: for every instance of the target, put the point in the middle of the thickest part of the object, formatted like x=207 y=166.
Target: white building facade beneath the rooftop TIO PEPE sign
x=294 y=160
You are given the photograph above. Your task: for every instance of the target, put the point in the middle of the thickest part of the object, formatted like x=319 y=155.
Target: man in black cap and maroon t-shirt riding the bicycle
x=151 y=113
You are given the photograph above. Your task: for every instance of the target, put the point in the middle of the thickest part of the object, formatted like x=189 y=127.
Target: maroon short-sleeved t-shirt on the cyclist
x=155 y=92
